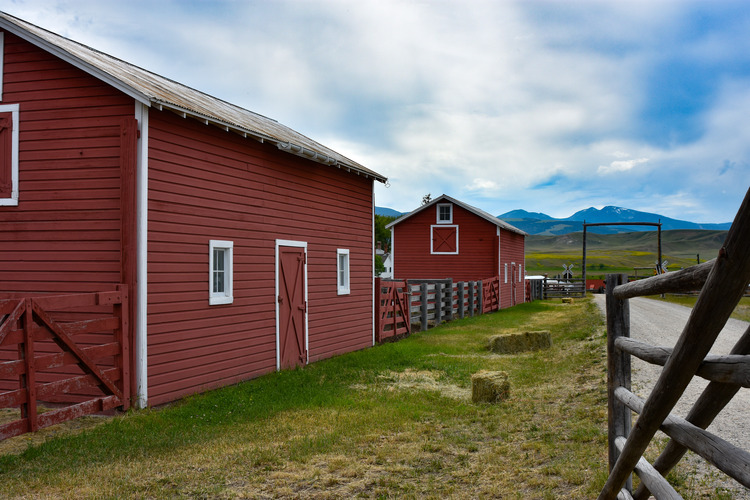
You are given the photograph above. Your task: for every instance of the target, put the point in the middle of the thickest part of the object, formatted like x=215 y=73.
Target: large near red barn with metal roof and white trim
x=246 y=246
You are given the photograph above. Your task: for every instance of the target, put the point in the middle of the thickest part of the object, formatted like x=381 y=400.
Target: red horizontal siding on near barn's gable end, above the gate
x=64 y=236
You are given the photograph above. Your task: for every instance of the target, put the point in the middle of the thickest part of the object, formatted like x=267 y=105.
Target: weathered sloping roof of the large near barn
x=162 y=93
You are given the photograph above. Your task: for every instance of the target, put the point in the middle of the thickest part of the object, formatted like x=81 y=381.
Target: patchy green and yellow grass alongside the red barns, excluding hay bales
x=392 y=421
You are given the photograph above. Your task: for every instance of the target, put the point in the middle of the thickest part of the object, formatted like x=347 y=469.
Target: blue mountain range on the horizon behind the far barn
x=543 y=224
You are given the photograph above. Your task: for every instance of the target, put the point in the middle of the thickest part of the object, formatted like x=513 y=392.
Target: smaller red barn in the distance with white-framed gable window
x=447 y=238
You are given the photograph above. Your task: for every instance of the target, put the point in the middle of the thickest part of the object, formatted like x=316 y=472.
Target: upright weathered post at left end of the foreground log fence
x=618 y=369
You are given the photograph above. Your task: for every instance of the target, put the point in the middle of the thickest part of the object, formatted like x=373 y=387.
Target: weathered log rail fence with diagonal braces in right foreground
x=723 y=282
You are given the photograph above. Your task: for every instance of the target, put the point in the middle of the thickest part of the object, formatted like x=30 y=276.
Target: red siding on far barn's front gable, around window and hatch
x=477 y=248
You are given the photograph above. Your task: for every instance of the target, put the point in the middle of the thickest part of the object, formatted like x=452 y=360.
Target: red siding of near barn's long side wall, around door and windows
x=205 y=183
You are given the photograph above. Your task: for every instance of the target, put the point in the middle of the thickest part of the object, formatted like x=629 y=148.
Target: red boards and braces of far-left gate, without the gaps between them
x=27 y=320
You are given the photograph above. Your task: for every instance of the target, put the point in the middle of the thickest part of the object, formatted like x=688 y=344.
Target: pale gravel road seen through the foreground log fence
x=661 y=323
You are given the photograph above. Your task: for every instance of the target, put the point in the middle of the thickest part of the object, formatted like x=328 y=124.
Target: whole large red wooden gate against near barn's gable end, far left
x=69 y=350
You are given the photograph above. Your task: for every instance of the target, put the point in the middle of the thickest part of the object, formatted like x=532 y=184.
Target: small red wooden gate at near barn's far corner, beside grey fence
x=392 y=312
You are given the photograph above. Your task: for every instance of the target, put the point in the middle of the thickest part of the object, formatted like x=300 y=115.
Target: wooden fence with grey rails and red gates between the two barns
x=430 y=302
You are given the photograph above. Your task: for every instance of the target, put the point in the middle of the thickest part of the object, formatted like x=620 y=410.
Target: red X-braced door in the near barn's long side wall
x=292 y=307
